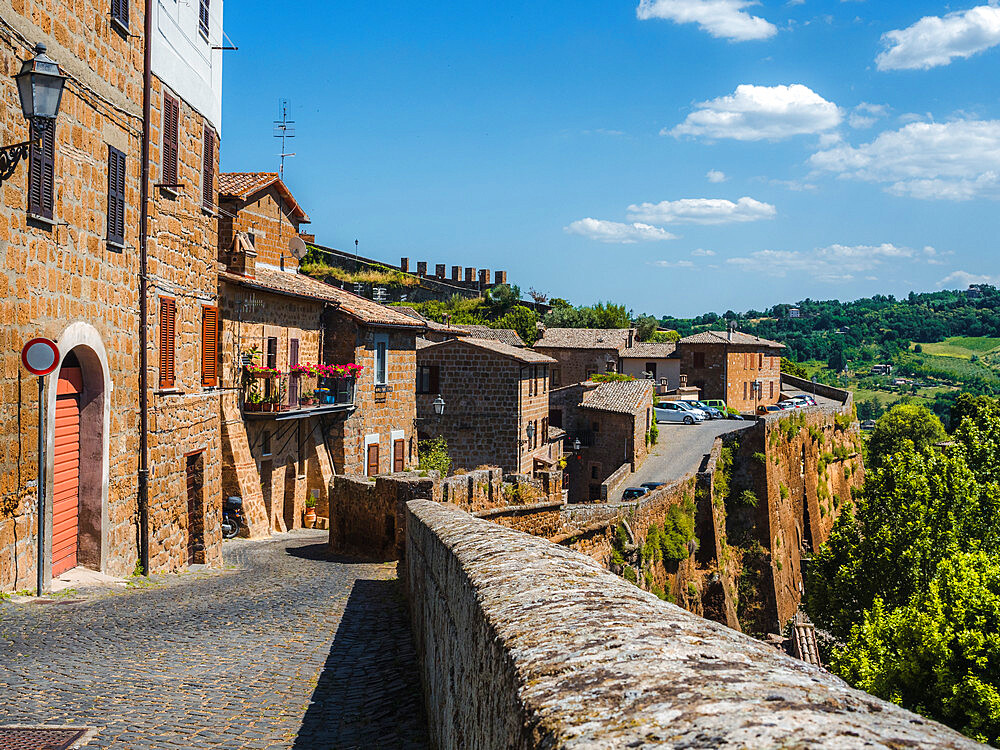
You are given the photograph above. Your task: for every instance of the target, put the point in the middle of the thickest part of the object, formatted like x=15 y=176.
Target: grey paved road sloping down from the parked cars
x=679 y=451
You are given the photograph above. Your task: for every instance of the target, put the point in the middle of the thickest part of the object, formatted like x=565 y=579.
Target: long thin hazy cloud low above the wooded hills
x=833 y=264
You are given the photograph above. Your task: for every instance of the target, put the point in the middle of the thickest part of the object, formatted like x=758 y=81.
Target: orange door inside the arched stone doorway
x=66 y=471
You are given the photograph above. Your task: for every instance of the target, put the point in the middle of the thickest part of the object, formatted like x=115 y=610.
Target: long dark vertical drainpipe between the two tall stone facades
x=143 y=477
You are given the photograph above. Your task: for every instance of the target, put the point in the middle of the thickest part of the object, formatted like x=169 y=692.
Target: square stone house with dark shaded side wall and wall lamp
x=496 y=404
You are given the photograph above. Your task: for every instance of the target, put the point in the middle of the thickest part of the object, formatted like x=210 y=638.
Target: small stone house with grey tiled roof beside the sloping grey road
x=612 y=422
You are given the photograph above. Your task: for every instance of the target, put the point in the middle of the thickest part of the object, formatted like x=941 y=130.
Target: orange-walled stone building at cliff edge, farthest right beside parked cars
x=740 y=369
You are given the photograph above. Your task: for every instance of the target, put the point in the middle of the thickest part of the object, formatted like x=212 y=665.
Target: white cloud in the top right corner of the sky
x=936 y=40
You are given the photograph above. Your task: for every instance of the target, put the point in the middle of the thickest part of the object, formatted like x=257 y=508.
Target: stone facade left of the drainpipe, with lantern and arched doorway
x=62 y=275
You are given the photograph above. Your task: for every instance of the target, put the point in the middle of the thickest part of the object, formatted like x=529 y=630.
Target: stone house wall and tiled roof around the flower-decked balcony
x=273 y=466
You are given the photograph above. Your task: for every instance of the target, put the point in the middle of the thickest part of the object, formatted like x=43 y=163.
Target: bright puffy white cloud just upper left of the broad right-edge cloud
x=755 y=113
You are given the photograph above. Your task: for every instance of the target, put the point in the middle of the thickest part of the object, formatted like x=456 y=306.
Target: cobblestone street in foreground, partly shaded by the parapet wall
x=291 y=649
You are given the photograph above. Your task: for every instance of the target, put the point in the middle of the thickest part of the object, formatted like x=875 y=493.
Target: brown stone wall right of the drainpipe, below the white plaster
x=184 y=419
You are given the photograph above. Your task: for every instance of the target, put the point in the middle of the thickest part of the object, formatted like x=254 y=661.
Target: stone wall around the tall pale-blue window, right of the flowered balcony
x=377 y=413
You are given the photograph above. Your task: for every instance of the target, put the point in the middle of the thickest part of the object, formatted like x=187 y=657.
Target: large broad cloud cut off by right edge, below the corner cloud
x=953 y=161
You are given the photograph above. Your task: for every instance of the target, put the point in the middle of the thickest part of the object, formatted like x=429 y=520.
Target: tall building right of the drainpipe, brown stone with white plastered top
x=184 y=496
